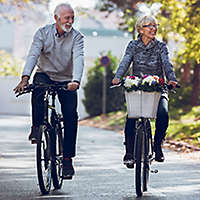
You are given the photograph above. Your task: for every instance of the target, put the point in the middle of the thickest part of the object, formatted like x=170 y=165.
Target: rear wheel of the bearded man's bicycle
x=57 y=167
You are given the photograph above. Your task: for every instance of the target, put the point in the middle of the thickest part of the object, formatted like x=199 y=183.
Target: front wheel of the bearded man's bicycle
x=43 y=159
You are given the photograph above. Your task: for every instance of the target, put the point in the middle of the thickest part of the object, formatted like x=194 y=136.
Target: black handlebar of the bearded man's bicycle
x=49 y=87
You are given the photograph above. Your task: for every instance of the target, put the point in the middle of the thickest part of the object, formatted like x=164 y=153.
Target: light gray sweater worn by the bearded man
x=60 y=57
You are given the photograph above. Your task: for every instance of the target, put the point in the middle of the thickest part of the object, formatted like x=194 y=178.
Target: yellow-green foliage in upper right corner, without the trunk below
x=183 y=18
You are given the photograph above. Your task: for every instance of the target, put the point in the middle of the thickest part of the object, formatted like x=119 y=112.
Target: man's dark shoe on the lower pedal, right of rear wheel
x=68 y=169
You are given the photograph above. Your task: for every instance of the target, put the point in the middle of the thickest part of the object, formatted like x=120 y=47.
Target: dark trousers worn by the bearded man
x=68 y=101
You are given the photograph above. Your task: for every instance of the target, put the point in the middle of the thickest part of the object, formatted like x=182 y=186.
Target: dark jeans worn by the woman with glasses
x=162 y=121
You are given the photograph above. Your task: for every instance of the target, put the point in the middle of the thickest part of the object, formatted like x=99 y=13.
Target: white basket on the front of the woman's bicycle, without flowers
x=142 y=104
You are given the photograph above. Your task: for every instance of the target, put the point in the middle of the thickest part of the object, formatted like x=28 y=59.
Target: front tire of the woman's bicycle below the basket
x=139 y=164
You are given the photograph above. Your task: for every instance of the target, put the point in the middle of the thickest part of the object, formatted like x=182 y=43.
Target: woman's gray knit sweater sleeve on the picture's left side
x=126 y=61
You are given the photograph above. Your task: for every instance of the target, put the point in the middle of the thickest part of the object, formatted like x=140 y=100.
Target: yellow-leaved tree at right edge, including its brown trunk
x=182 y=18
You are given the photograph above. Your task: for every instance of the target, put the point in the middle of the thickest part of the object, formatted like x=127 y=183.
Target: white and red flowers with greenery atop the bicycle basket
x=147 y=83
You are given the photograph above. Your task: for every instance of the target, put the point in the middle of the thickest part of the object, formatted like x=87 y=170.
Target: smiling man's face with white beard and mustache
x=66 y=19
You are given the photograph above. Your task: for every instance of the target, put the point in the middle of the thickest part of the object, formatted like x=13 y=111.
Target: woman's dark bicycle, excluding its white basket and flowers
x=143 y=155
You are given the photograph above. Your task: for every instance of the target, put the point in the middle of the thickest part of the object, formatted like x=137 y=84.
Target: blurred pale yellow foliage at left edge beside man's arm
x=9 y=66
